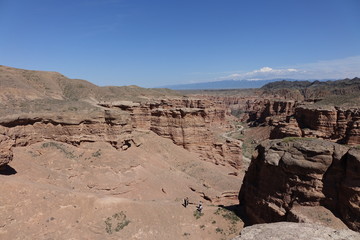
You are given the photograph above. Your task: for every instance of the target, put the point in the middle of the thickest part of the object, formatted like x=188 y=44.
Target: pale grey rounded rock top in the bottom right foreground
x=294 y=231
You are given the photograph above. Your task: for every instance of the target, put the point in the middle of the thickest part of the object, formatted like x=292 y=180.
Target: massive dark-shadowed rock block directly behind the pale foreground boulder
x=305 y=172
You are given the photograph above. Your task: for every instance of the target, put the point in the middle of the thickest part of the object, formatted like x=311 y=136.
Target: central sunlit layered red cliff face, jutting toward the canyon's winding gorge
x=188 y=123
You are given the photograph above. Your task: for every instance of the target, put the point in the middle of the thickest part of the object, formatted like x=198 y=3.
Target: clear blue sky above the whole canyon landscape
x=152 y=43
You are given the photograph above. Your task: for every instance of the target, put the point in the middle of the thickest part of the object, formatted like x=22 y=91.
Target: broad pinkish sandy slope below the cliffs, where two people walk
x=58 y=191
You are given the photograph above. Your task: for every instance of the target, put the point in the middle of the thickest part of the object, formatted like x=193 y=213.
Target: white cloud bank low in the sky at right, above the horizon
x=330 y=69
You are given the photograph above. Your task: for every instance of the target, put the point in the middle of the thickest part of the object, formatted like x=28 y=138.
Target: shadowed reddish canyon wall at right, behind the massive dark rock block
x=292 y=119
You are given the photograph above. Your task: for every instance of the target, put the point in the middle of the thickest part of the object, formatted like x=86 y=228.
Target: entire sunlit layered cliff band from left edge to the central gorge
x=187 y=122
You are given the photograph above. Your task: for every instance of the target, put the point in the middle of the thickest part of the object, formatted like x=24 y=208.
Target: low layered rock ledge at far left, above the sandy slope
x=107 y=126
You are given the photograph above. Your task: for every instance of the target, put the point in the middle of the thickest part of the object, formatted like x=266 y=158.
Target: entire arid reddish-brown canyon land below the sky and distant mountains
x=78 y=161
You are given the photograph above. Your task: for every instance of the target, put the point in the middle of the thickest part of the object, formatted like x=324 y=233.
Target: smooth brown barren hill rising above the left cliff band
x=33 y=91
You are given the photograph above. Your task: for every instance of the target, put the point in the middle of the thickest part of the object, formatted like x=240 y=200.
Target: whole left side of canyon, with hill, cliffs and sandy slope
x=111 y=165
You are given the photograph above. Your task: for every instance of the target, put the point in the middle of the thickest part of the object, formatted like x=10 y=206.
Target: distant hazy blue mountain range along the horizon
x=225 y=84
